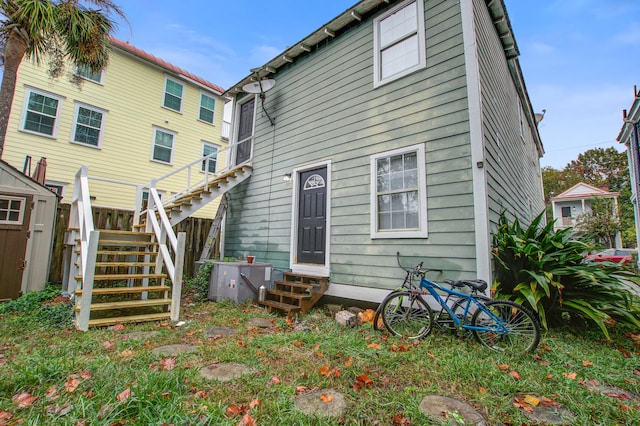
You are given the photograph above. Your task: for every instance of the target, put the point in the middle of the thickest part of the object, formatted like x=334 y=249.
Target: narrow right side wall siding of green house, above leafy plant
x=513 y=171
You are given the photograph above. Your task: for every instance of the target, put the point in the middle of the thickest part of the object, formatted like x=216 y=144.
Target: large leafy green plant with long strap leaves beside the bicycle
x=546 y=270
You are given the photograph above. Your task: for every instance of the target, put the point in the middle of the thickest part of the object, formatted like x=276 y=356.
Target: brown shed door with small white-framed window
x=15 y=214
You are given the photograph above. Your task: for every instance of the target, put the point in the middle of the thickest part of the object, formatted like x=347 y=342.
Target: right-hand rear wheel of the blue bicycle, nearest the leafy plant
x=522 y=328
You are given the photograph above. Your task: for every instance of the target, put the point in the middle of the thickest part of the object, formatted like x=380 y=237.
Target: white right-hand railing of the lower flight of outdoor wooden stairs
x=163 y=231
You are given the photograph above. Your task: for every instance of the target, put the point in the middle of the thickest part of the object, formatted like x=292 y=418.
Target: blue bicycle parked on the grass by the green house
x=500 y=325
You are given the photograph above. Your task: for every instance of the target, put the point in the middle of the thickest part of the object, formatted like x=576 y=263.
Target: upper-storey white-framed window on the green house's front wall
x=399 y=42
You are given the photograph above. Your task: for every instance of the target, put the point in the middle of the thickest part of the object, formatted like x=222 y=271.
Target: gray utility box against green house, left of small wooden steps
x=226 y=282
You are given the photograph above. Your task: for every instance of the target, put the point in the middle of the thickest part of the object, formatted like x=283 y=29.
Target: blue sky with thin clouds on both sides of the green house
x=579 y=57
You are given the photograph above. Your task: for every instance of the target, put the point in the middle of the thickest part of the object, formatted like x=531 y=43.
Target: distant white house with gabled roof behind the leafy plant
x=576 y=201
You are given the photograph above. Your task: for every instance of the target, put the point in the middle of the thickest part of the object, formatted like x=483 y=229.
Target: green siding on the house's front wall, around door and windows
x=326 y=109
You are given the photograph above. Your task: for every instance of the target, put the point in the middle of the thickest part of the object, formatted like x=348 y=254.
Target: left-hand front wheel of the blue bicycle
x=407 y=315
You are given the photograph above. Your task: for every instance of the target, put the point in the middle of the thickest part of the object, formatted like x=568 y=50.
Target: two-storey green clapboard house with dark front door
x=399 y=126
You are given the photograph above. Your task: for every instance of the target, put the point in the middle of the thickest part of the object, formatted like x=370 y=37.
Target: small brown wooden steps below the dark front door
x=295 y=293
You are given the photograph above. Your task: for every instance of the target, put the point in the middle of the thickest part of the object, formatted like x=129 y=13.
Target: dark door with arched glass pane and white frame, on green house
x=312 y=216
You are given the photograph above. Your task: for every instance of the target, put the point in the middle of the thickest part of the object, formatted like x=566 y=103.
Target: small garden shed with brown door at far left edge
x=27 y=220
